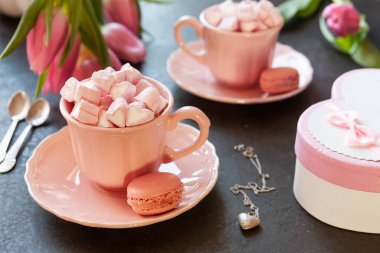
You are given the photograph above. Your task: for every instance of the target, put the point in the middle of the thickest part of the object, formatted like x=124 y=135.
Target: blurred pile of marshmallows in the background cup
x=246 y=16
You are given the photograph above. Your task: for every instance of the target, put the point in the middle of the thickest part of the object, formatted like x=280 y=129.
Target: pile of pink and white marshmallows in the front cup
x=114 y=98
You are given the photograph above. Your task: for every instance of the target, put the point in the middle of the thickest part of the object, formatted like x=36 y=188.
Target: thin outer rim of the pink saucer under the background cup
x=234 y=100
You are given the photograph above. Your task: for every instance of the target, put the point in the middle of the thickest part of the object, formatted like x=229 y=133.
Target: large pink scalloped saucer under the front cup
x=56 y=185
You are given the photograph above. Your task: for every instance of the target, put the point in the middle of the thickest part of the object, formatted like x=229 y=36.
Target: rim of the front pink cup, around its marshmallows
x=165 y=113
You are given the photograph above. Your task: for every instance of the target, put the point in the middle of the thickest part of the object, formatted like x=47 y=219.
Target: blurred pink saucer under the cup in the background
x=197 y=79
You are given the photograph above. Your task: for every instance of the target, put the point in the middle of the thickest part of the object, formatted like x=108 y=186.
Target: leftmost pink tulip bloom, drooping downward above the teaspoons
x=40 y=55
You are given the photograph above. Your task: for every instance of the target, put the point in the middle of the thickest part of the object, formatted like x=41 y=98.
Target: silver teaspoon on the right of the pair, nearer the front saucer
x=37 y=115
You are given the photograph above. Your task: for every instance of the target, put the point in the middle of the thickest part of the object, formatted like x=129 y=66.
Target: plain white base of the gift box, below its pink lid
x=335 y=205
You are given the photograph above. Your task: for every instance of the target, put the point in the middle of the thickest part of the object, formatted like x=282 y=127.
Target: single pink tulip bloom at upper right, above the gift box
x=342 y=19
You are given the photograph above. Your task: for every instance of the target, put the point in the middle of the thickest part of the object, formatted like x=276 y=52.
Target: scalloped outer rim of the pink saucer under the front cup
x=147 y=220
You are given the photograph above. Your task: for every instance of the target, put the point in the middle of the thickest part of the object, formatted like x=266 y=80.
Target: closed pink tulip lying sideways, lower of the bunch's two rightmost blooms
x=124 y=43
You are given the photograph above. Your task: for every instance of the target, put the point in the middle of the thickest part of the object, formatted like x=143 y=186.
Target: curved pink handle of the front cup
x=192 y=113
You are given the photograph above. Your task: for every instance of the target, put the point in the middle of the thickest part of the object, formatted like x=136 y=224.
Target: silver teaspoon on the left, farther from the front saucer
x=18 y=107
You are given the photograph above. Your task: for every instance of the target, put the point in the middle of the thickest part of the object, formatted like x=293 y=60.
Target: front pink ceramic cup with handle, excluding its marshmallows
x=112 y=157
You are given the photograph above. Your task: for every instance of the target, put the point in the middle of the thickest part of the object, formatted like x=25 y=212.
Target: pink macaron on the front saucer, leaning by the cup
x=154 y=193
